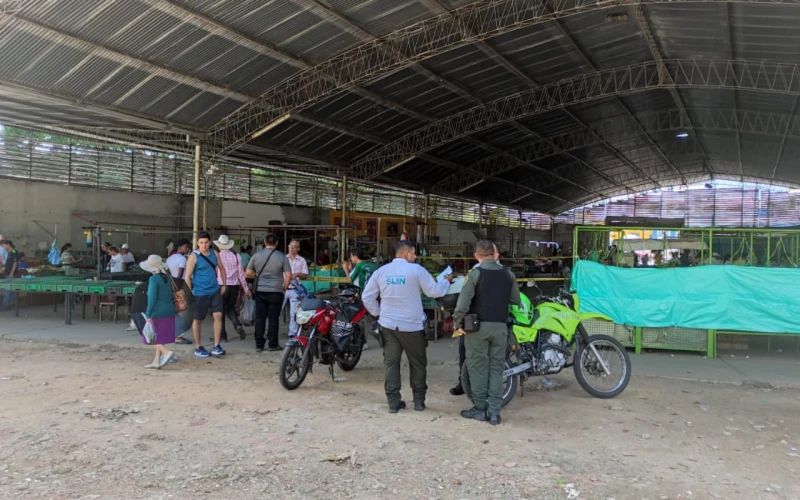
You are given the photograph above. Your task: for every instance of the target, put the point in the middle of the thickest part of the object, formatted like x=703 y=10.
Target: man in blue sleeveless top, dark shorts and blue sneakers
x=201 y=278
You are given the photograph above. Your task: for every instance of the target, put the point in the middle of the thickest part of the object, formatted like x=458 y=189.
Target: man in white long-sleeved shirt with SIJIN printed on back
x=399 y=285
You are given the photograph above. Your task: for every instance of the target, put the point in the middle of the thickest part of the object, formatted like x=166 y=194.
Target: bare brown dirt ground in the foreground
x=90 y=422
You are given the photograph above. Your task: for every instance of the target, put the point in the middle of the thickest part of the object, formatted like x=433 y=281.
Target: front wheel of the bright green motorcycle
x=590 y=373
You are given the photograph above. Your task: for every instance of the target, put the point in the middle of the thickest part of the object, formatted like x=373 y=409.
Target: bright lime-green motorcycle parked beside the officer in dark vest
x=548 y=336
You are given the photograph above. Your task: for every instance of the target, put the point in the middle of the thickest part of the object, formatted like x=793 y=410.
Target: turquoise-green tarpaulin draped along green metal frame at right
x=750 y=299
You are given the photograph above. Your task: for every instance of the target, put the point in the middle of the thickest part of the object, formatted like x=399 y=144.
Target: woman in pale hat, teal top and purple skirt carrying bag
x=158 y=323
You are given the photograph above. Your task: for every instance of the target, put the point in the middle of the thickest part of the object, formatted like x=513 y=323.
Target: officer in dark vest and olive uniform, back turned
x=487 y=292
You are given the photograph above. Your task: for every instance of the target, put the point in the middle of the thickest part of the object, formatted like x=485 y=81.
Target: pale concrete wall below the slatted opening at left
x=23 y=202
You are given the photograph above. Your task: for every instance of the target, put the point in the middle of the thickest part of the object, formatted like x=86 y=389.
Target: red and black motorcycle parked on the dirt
x=329 y=334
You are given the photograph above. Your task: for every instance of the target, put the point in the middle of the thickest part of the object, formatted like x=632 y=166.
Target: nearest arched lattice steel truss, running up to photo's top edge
x=418 y=42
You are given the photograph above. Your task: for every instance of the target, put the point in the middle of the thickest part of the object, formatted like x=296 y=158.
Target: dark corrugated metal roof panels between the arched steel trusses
x=190 y=63
